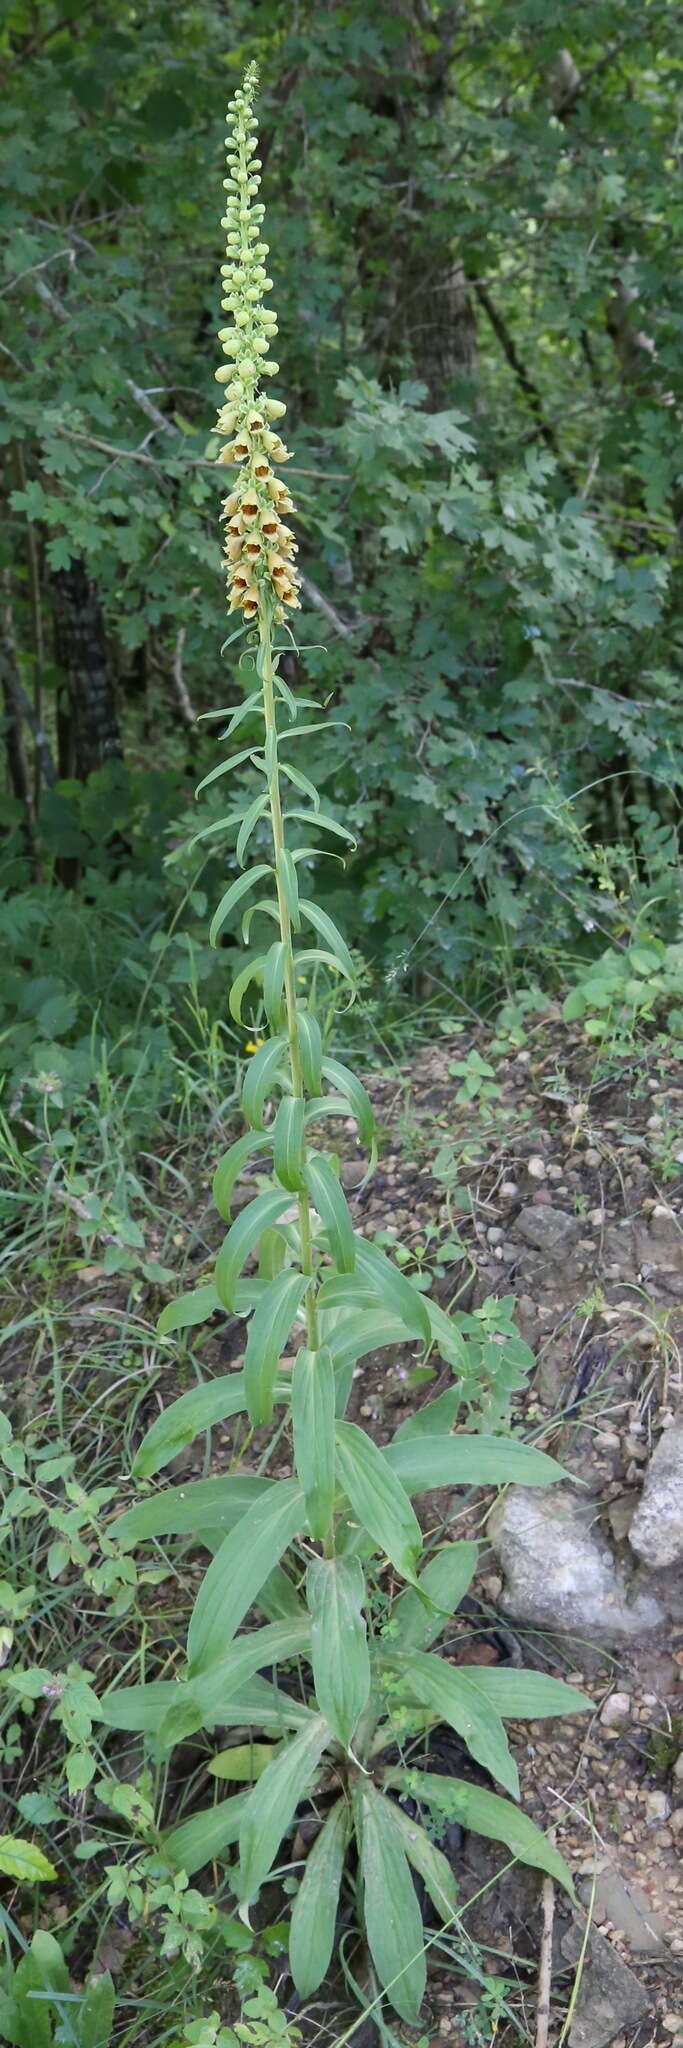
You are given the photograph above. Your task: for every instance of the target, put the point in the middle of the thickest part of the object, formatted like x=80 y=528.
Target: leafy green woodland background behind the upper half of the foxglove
x=475 y=226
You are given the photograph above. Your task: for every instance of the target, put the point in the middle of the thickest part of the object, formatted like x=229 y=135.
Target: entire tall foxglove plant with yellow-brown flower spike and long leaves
x=329 y=1558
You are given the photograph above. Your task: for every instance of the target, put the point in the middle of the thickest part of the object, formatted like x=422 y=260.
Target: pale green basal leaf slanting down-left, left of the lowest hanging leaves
x=274 y=1803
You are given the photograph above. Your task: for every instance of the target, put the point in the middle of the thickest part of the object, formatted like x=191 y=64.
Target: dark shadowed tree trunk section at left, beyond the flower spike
x=89 y=724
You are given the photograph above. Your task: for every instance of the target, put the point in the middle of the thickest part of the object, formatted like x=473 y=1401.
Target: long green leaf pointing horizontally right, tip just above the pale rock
x=469 y=1461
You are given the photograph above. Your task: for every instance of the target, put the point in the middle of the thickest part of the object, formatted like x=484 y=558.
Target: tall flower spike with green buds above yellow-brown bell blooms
x=259 y=548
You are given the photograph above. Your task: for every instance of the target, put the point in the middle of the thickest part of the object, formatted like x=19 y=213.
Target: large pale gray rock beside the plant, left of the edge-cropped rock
x=561 y=1572
